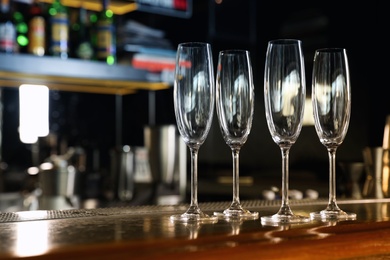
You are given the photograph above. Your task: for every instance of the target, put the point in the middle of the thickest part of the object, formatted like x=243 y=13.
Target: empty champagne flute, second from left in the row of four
x=235 y=106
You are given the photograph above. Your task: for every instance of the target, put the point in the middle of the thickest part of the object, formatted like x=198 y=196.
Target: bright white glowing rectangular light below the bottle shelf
x=33 y=112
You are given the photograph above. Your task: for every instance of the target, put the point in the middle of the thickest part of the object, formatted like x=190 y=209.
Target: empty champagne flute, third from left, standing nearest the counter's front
x=284 y=95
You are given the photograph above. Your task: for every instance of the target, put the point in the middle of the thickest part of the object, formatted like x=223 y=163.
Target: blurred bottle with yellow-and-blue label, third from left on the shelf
x=59 y=29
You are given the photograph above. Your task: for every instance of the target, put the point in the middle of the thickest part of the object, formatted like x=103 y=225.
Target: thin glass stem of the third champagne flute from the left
x=285 y=208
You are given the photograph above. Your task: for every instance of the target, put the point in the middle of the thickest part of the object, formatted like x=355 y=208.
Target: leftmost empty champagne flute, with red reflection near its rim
x=194 y=97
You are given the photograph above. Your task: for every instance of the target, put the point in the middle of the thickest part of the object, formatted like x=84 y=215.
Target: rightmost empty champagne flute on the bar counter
x=331 y=98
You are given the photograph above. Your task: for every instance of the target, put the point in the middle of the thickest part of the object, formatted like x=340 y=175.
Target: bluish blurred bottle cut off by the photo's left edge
x=7 y=28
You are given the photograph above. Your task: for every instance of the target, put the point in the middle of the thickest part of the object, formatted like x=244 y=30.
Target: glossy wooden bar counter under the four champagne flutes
x=145 y=232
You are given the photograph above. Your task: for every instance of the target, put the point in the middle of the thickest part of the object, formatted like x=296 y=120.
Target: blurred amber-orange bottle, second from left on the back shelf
x=36 y=29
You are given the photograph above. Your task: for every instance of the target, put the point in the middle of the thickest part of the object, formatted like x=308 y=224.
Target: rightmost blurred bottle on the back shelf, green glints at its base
x=106 y=38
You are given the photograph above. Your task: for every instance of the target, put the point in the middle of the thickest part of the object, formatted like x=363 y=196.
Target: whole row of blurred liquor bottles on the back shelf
x=55 y=30
